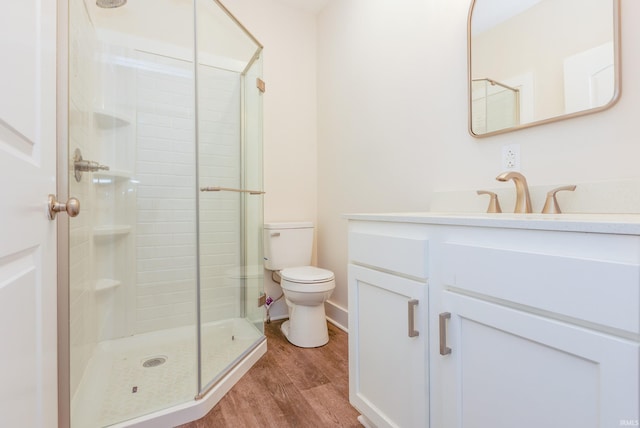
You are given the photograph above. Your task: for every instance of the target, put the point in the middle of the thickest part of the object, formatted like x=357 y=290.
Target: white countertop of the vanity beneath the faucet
x=622 y=224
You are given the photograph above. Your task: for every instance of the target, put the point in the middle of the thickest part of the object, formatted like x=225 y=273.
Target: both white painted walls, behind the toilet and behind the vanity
x=392 y=116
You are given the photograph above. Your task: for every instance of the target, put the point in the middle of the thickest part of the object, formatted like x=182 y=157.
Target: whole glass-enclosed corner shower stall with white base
x=164 y=152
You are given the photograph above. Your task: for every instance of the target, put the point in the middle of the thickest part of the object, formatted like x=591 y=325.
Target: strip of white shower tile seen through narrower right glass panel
x=219 y=163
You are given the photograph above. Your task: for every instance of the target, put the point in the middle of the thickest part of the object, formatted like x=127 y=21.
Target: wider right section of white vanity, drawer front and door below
x=544 y=336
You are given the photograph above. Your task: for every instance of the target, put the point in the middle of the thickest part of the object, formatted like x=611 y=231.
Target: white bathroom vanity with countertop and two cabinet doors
x=529 y=322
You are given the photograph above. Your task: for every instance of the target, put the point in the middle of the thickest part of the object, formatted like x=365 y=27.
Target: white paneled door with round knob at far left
x=28 y=335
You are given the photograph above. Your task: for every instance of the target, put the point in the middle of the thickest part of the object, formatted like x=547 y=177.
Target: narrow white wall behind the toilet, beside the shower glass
x=290 y=131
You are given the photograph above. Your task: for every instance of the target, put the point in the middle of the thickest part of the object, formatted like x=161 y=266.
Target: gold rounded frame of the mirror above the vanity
x=614 y=99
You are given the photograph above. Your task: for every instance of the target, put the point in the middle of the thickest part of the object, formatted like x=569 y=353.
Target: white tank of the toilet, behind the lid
x=287 y=245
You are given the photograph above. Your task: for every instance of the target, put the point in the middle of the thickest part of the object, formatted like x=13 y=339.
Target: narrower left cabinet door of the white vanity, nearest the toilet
x=387 y=362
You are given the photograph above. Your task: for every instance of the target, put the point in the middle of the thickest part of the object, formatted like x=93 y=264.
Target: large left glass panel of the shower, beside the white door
x=132 y=255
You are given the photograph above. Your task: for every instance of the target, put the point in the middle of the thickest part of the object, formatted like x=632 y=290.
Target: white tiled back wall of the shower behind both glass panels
x=166 y=225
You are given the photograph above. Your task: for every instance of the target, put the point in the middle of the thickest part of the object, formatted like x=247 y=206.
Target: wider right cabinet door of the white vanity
x=509 y=368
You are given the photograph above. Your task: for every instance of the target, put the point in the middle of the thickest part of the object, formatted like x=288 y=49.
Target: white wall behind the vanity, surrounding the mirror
x=392 y=118
